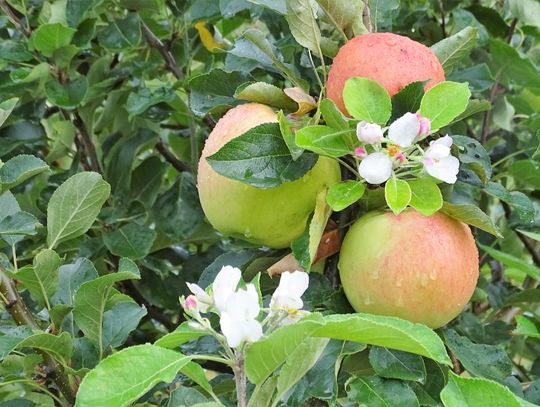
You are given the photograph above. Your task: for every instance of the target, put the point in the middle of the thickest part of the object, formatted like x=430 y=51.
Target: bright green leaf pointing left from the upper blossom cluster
x=325 y=140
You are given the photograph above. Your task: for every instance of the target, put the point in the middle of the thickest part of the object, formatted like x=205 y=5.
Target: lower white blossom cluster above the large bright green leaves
x=239 y=308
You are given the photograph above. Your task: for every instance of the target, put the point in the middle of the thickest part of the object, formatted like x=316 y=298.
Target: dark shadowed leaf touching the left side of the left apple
x=177 y=211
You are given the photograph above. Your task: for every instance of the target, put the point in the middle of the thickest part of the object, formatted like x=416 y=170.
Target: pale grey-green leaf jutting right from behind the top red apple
x=453 y=49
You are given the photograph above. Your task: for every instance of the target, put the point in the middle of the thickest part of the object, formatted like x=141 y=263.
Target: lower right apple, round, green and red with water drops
x=423 y=269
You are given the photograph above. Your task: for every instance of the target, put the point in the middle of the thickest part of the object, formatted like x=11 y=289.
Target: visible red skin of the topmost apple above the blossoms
x=390 y=59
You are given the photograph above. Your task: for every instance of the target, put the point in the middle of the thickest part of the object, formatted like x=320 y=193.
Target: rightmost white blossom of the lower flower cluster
x=291 y=287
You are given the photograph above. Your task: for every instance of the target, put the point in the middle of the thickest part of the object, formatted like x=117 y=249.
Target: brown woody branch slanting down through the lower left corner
x=22 y=316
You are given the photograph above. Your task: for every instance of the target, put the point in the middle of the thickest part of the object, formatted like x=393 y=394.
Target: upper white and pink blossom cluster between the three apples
x=399 y=150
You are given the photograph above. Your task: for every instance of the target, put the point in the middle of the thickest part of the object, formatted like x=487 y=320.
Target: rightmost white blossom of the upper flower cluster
x=439 y=163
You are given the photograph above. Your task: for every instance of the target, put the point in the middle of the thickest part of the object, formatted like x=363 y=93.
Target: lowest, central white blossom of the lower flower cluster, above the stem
x=238 y=318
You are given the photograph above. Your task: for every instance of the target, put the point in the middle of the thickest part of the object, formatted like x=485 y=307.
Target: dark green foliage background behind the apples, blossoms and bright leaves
x=131 y=88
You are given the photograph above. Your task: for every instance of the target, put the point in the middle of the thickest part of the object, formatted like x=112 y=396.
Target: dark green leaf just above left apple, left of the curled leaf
x=213 y=92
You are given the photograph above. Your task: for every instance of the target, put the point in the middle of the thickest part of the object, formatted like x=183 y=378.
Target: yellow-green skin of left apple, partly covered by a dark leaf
x=271 y=217
